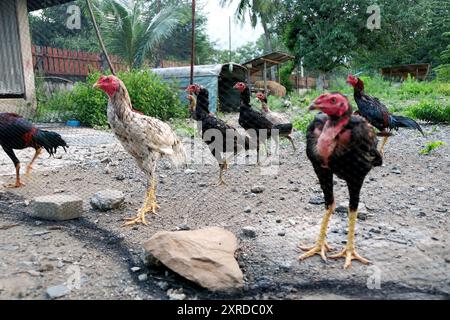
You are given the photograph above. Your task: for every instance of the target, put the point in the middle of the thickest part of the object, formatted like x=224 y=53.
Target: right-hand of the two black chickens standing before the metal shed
x=258 y=126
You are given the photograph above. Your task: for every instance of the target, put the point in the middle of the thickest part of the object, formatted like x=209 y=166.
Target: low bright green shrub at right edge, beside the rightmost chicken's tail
x=430 y=110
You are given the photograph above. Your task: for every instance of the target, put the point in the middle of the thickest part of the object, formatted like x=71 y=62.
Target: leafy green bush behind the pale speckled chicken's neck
x=148 y=93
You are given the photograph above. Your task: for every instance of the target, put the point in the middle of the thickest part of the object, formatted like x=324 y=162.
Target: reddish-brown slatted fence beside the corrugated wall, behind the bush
x=70 y=63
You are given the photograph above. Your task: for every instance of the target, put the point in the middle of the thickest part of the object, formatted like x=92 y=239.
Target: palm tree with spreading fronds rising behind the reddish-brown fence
x=132 y=31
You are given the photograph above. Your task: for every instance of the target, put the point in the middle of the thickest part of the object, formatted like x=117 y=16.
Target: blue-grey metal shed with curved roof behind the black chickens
x=219 y=79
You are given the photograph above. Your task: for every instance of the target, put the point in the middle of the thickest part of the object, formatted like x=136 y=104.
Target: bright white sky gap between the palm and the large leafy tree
x=217 y=27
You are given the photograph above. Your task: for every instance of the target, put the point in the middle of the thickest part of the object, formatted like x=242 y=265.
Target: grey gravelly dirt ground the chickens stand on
x=405 y=231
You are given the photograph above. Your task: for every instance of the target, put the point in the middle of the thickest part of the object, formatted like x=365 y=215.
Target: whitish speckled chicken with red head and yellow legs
x=145 y=138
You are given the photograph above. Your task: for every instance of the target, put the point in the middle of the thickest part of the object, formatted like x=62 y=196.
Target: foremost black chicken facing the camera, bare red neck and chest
x=345 y=145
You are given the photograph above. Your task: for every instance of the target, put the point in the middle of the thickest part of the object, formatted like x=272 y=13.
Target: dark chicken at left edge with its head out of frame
x=18 y=133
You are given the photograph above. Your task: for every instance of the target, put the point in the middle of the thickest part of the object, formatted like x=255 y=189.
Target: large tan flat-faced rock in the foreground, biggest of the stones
x=204 y=256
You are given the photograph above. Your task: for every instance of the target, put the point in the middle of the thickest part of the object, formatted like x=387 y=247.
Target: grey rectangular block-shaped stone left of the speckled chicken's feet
x=57 y=207
